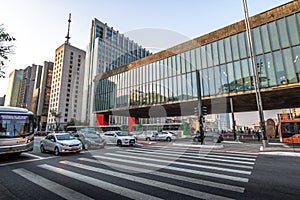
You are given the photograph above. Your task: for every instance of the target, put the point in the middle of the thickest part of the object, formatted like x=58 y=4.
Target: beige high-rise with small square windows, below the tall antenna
x=67 y=85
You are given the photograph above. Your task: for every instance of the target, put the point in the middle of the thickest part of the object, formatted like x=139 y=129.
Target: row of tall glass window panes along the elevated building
x=224 y=65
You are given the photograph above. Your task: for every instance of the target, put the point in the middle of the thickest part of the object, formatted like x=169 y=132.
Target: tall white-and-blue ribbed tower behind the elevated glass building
x=107 y=50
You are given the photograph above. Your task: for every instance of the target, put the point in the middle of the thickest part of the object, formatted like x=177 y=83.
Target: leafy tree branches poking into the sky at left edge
x=6 y=48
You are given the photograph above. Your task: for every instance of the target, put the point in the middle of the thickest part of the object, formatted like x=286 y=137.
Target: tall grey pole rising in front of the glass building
x=256 y=77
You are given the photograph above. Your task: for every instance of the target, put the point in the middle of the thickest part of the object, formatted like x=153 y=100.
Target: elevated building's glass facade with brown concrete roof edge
x=223 y=59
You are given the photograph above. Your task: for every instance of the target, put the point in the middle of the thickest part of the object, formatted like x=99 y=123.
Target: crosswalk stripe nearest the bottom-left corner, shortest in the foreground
x=58 y=189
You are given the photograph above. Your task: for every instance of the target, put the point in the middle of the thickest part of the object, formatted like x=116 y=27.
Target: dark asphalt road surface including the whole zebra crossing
x=150 y=172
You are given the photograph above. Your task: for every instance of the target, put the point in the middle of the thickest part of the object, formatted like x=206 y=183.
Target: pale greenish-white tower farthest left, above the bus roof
x=13 y=88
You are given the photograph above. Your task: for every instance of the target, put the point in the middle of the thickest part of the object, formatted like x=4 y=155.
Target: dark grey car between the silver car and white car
x=90 y=140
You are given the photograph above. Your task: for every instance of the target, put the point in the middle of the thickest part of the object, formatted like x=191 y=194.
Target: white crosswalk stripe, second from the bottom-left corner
x=99 y=183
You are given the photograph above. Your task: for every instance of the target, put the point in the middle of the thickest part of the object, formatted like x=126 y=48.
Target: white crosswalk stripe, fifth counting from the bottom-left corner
x=216 y=175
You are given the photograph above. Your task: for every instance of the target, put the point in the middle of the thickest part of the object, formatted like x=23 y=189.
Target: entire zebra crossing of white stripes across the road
x=149 y=173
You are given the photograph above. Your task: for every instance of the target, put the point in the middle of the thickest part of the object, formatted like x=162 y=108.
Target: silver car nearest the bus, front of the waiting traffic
x=60 y=143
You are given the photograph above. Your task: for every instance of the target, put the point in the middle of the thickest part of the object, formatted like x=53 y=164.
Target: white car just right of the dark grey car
x=118 y=137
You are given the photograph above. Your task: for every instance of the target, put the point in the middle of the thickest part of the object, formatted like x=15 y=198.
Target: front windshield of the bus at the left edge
x=15 y=125
